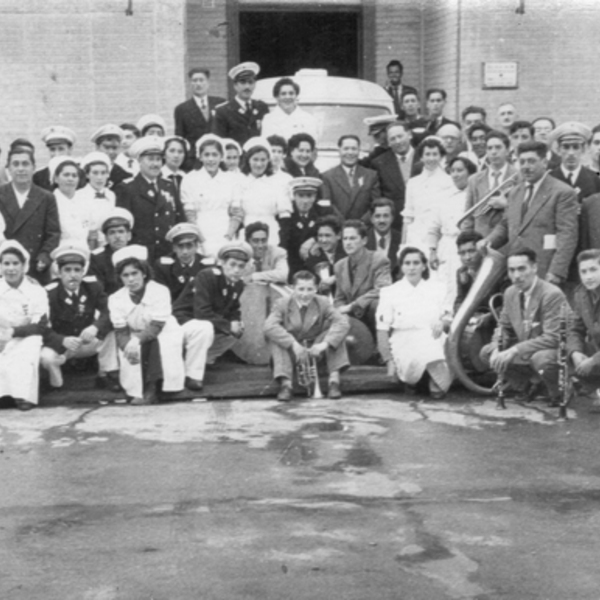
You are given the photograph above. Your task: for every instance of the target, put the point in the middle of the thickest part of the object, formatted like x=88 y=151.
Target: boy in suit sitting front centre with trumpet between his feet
x=305 y=325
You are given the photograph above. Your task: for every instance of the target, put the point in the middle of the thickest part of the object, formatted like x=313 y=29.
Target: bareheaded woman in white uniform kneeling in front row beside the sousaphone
x=410 y=326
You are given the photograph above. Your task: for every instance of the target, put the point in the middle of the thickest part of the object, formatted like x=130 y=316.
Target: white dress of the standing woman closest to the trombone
x=442 y=235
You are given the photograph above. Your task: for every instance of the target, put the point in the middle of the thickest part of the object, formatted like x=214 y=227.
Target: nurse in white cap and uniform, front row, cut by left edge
x=23 y=319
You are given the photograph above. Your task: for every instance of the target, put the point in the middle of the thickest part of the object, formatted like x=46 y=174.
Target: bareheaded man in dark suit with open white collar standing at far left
x=30 y=213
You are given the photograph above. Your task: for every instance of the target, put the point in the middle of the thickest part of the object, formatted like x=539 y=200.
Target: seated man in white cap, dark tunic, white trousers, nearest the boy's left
x=209 y=311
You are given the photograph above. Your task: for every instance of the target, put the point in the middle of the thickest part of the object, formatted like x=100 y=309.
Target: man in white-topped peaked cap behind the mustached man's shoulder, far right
x=572 y=139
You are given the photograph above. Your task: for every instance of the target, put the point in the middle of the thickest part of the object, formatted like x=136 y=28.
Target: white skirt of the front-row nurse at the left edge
x=19 y=368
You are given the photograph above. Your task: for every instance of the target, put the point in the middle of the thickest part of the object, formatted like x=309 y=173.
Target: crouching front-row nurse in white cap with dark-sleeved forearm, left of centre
x=149 y=339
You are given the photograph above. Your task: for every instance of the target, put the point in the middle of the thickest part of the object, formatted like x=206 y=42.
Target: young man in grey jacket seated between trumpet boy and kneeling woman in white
x=360 y=275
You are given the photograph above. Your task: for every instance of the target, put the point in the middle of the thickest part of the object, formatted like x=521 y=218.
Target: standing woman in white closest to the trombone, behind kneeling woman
x=443 y=229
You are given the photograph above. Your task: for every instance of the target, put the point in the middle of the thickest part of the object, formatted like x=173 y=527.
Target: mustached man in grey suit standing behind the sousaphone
x=541 y=215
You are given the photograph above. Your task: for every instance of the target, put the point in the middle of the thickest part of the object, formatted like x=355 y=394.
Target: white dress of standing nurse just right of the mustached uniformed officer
x=211 y=198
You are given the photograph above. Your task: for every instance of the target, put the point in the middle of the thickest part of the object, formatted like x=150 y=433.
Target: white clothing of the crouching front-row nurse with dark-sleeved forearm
x=154 y=306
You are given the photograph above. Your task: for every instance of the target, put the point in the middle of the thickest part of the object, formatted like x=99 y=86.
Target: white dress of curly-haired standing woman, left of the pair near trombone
x=423 y=194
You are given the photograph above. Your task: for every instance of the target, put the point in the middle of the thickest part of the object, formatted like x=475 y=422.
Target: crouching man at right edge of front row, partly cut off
x=583 y=340
